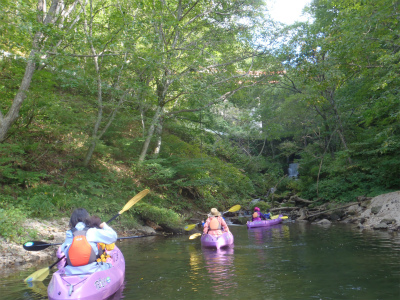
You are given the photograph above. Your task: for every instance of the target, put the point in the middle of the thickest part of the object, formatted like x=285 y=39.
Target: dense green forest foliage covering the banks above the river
x=205 y=103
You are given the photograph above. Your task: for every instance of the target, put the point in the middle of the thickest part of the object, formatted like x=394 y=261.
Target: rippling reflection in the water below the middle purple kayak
x=221 y=270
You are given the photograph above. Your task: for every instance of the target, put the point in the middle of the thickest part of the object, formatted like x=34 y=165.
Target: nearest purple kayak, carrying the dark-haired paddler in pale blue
x=96 y=286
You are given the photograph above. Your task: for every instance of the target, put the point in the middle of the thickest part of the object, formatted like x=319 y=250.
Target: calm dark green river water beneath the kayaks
x=284 y=262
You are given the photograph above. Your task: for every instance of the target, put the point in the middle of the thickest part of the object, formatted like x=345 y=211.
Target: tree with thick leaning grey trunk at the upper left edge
x=59 y=18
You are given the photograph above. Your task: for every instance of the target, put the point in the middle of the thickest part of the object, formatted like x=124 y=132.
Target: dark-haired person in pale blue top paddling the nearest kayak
x=81 y=246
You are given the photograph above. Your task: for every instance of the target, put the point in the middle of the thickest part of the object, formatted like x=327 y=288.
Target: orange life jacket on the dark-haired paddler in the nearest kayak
x=80 y=252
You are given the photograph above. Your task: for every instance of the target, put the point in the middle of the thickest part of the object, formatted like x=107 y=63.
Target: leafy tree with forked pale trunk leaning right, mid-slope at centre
x=193 y=44
